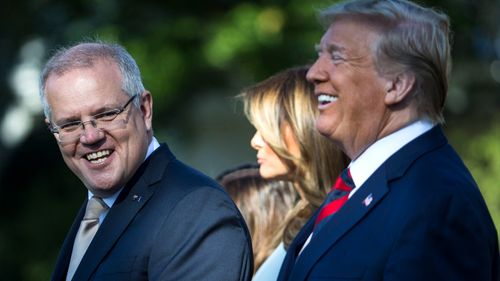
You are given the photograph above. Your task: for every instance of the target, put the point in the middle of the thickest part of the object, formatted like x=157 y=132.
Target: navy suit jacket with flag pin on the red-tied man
x=420 y=216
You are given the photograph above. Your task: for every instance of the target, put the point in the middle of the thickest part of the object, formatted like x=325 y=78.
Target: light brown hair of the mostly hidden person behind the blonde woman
x=263 y=203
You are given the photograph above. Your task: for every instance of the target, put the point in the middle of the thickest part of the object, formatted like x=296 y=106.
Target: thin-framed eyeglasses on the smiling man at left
x=72 y=131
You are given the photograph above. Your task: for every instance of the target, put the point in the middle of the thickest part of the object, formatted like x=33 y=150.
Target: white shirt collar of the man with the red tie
x=376 y=154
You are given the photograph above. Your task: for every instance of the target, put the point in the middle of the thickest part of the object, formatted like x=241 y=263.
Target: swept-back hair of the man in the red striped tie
x=413 y=39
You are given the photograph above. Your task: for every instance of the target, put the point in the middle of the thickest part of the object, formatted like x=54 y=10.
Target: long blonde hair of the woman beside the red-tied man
x=287 y=99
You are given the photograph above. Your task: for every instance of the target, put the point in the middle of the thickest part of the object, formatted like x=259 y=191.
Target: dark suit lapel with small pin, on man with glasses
x=130 y=201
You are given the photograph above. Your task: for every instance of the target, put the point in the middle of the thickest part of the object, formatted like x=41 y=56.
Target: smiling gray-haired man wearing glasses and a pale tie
x=148 y=216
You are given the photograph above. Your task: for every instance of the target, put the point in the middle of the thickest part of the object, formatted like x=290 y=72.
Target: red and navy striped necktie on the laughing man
x=337 y=196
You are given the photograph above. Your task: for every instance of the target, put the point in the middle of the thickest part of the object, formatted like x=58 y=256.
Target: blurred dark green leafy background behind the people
x=195 y=56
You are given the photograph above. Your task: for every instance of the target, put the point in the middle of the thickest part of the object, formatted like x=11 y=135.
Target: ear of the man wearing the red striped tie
x=398 y=88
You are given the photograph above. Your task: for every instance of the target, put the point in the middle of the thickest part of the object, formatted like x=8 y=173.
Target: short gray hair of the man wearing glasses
x=84 y=55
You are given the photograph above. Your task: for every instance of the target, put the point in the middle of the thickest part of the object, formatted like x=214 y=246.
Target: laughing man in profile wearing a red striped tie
x=414 y=211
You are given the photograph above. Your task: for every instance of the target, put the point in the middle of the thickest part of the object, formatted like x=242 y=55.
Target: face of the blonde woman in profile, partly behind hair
x=271 y=165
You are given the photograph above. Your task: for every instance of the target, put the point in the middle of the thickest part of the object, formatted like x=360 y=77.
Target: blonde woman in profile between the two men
x=283 y=110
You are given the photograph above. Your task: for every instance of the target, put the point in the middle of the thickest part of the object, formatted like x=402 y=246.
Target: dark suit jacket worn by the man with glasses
x=169 y=223
